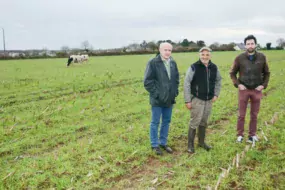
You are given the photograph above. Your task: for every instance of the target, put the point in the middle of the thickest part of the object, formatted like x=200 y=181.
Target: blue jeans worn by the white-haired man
x=156 y=113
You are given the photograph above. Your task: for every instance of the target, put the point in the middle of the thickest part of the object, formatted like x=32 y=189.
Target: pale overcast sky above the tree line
x=37 y=24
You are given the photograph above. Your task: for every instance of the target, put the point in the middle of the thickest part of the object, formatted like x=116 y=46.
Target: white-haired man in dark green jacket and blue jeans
x=161 y=80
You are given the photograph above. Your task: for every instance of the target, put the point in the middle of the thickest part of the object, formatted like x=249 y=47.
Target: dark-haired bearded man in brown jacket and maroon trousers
x=253 y=77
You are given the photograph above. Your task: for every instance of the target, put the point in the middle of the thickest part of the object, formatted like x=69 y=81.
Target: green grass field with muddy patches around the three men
x=87 y=127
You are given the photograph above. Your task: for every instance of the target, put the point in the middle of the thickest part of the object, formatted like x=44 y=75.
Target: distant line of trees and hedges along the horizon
x=145 y=47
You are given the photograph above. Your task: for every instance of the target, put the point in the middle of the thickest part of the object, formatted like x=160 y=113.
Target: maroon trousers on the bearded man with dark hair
x=243 y=97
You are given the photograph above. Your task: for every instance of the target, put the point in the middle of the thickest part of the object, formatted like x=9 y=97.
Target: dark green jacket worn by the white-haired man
x=162 y=90
